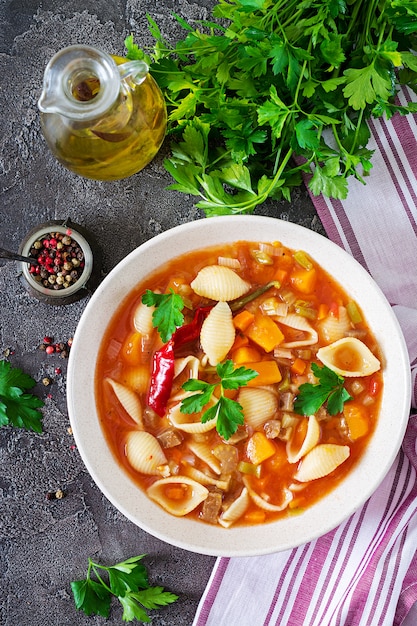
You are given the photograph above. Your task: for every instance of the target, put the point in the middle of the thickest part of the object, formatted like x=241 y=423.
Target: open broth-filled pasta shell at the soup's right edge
x=349 y=357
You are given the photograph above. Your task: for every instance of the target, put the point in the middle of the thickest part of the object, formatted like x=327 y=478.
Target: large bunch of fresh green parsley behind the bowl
x=275 y=88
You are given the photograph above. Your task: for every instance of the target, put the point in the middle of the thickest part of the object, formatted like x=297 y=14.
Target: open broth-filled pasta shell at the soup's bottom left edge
x=187 y=494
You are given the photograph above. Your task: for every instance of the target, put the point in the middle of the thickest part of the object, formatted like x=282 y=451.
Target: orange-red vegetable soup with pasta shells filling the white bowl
x=238 y=384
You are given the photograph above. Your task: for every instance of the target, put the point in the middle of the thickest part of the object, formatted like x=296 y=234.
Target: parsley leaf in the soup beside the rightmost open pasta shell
x=330 y=389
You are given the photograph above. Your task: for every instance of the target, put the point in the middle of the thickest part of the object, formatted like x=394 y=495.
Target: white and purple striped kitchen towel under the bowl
x=364 y=572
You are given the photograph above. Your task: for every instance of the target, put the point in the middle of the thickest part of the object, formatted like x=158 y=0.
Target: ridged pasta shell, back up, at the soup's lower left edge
x=144 y=453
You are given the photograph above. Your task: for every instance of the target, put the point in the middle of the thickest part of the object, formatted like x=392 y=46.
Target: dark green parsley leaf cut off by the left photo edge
x=18 y=408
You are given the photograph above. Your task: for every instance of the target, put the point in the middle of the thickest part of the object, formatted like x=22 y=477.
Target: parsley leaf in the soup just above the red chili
x=167 y=316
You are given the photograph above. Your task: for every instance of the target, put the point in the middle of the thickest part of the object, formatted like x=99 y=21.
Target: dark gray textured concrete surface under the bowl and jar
x=44 y=544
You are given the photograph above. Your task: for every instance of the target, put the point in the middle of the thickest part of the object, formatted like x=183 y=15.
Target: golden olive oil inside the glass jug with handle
x=113 y=146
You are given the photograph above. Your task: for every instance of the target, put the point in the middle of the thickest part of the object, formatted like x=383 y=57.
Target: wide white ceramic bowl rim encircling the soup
x=240 y=541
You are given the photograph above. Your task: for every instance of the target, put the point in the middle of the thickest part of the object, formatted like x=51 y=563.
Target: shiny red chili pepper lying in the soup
x=163 y=361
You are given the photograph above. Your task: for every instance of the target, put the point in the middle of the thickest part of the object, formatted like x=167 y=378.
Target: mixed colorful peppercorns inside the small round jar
x=60 y=260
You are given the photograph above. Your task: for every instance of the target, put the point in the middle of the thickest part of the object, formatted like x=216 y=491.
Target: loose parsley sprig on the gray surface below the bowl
x=128 y=582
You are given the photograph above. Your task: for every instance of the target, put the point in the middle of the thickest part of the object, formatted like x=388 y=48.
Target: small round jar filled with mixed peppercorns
x=51 y=286
